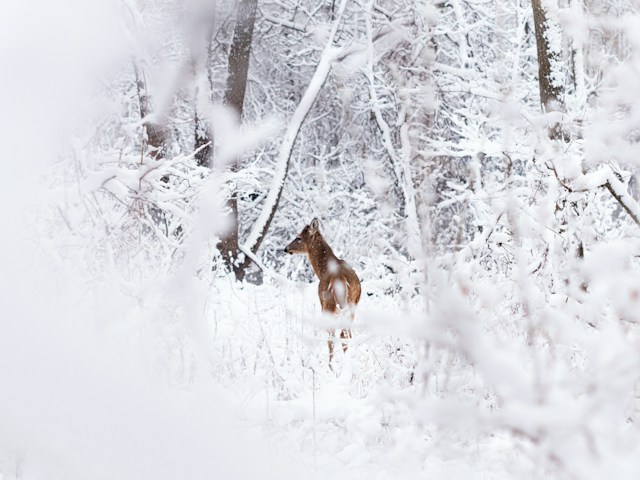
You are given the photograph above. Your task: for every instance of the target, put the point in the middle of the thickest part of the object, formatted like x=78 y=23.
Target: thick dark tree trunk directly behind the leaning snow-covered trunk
x=234 y=98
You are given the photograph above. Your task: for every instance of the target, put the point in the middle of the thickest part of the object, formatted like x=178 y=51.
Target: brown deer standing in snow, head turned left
x=339 y=288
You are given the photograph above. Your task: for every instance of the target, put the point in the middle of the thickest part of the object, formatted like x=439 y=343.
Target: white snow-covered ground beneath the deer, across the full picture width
x=201 y=376
